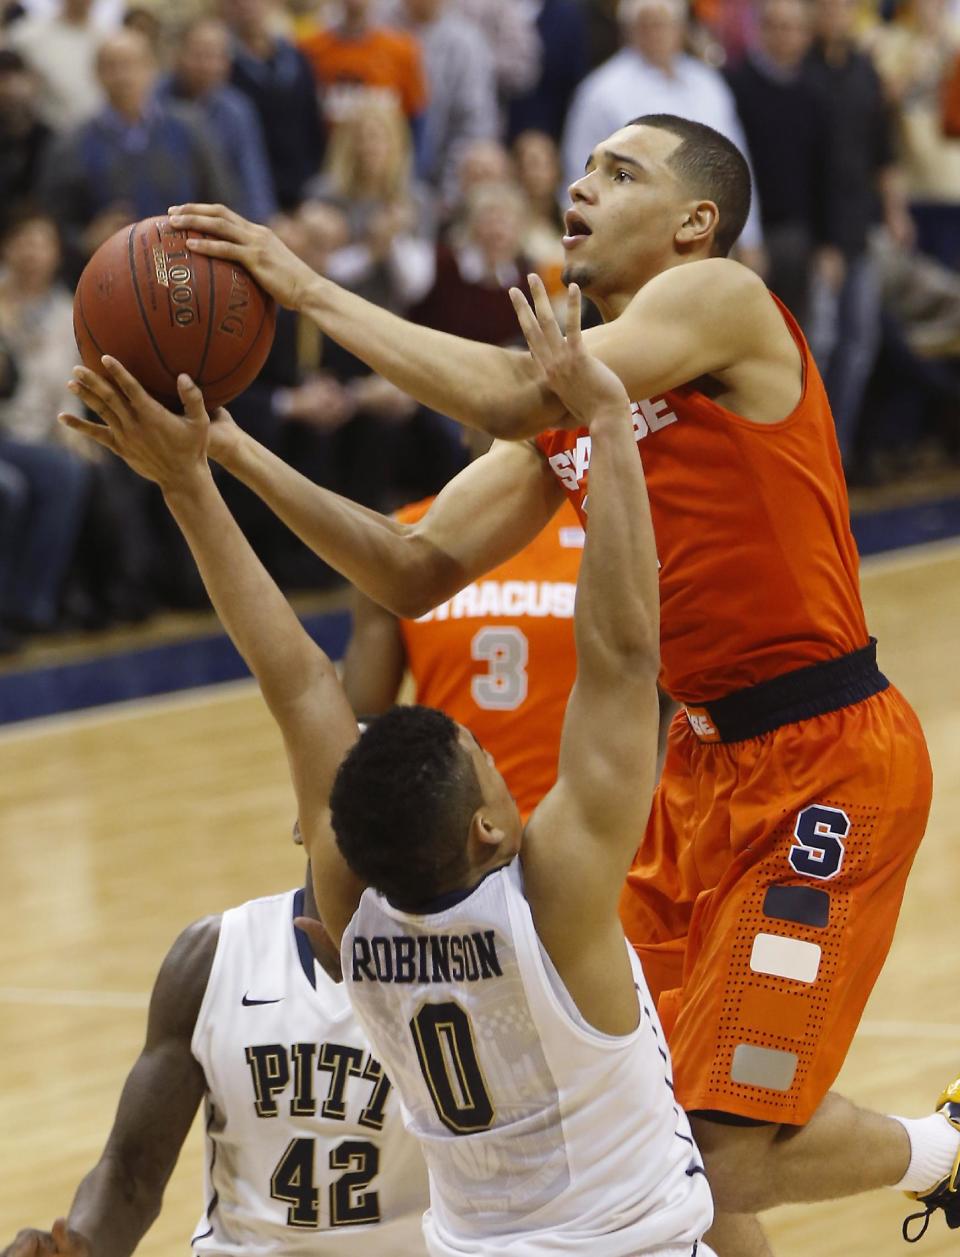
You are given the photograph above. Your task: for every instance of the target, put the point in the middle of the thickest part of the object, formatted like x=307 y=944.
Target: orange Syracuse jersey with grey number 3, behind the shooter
x=499 y=656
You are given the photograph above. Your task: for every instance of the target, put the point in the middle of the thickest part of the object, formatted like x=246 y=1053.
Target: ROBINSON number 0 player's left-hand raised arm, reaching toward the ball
x=296 y=677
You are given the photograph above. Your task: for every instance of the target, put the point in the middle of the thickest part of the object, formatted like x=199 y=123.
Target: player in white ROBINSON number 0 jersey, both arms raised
x=499 y=991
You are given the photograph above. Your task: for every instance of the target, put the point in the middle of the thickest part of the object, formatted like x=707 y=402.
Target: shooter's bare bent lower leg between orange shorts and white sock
x=841 y=1151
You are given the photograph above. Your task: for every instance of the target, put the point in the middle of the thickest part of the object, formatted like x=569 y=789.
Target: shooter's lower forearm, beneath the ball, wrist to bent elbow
x=378 y=555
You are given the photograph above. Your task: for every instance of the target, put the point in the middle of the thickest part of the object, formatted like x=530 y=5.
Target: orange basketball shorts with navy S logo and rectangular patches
x=765 y=897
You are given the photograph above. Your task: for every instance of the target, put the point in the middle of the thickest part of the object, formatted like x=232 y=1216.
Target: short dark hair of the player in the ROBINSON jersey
x=401 y=805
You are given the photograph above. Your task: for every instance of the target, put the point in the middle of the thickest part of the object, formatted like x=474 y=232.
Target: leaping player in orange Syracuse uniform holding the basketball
x=797 y=785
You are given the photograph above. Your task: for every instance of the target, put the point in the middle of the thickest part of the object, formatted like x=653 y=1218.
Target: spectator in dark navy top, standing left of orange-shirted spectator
x=278 y=80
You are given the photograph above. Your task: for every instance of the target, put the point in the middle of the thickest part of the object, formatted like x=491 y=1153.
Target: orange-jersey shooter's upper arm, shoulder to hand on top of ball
x=668 y=336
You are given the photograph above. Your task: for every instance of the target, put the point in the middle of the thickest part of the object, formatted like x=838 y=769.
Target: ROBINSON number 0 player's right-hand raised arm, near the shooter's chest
x=581 y=839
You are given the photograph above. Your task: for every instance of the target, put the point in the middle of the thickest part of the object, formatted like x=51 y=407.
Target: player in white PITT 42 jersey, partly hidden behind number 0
x=306 y=1150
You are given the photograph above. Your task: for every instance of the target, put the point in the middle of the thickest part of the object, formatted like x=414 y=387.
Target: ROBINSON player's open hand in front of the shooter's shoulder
x=582 y=383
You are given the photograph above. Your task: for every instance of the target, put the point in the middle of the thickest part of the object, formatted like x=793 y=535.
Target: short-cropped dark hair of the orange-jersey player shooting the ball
x=713 y=168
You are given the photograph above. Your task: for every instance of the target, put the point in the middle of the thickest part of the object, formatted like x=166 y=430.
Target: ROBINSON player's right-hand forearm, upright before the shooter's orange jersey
x=618 y=620
